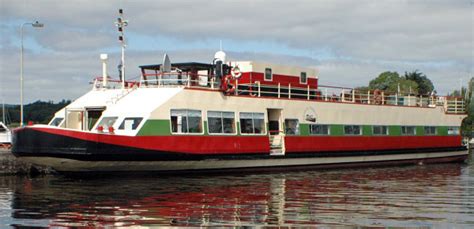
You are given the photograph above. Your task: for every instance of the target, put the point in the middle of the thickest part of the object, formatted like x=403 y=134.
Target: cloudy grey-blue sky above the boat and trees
x=349 y=42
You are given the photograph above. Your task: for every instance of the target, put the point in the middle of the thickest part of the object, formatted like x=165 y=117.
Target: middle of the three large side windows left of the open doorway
x=221 y=122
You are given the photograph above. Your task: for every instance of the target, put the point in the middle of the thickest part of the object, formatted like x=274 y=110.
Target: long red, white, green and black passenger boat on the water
x=240 y=115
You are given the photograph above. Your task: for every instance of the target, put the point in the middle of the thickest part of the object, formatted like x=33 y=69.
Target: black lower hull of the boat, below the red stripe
x=41 y=147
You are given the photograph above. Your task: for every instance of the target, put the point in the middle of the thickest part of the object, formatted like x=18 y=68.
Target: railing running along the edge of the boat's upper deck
x=452 y=105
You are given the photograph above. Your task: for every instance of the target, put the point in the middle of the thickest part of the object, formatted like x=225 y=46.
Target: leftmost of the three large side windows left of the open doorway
x=186 y=121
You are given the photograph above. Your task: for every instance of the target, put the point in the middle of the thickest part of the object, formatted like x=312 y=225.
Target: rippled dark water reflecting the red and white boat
x=422 y=196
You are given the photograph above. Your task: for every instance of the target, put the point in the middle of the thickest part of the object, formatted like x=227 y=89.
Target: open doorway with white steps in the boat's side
x=275 y=132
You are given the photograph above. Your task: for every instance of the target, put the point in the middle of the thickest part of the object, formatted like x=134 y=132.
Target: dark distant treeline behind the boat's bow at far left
x=37 y=112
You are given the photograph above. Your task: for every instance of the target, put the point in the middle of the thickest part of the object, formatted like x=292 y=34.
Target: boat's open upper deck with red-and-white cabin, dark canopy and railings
x=264 y=80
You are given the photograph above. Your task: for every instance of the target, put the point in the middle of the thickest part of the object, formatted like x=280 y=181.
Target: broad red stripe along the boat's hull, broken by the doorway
x=253 y=144
